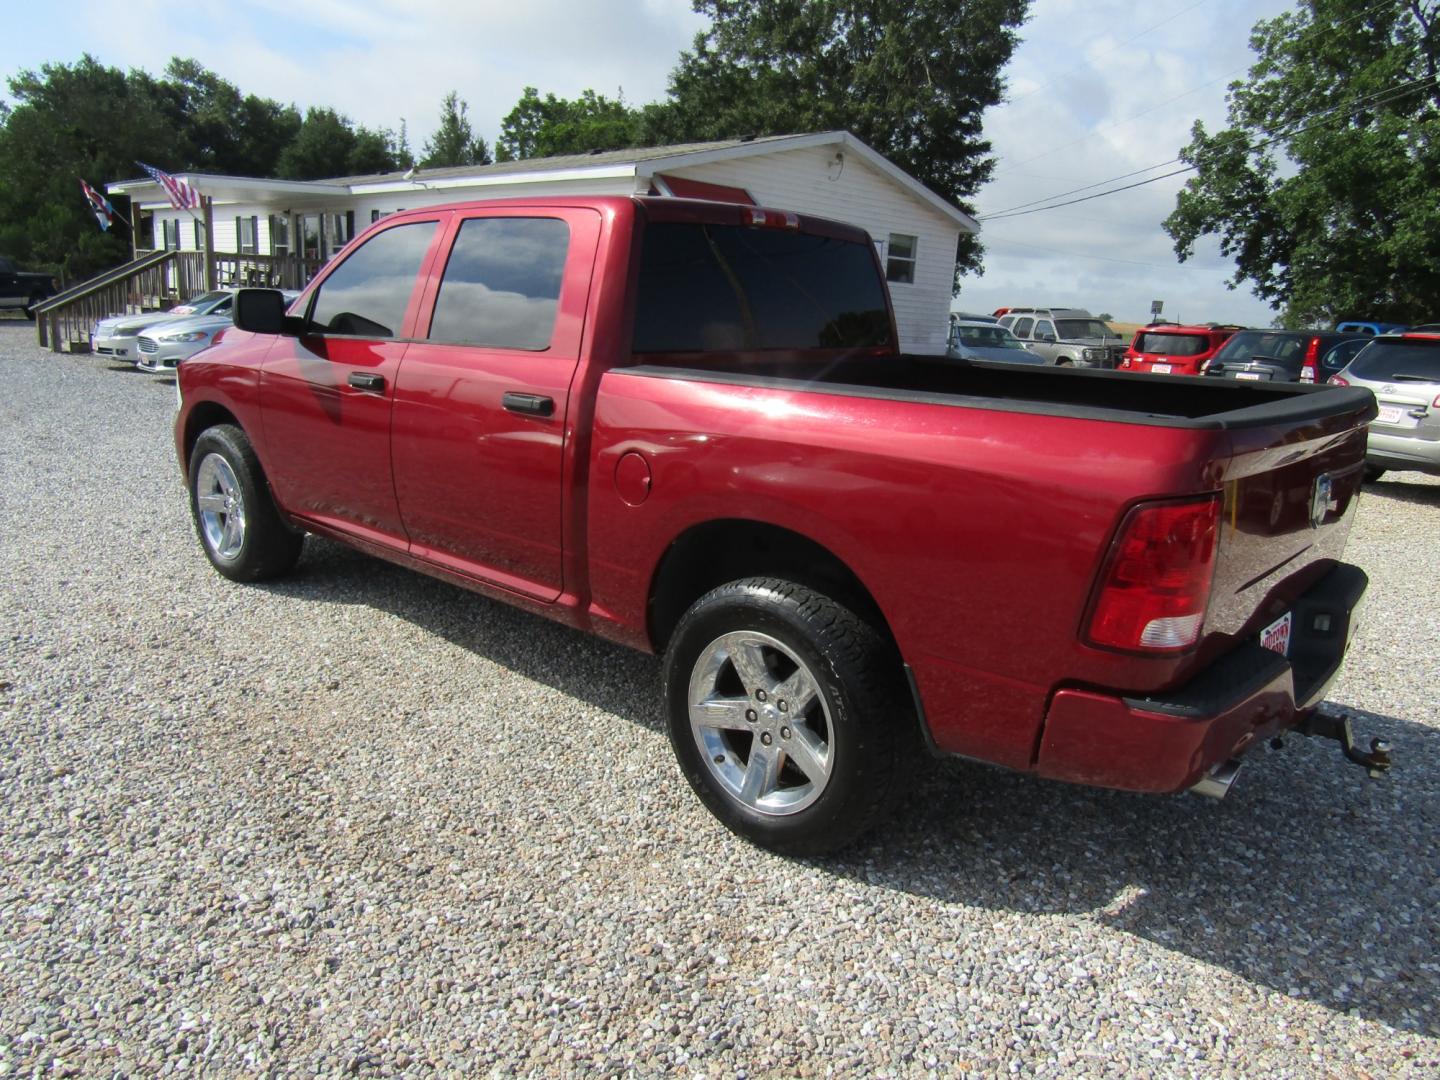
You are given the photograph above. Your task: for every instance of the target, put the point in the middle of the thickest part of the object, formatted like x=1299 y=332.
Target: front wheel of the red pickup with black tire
x=241 y=531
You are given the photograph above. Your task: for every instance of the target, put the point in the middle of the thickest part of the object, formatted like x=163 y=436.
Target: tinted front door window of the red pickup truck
x=369 y=292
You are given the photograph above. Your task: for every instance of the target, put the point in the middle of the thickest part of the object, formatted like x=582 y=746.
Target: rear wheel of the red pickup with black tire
x=862 y=715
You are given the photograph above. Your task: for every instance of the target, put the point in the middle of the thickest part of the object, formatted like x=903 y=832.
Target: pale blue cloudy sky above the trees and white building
x=1097 y=90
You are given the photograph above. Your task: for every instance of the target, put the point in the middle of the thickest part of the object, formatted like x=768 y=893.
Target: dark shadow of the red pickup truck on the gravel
x=1310 y=879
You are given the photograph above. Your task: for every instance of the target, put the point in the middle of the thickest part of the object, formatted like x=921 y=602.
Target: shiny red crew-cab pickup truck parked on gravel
x=688 y=427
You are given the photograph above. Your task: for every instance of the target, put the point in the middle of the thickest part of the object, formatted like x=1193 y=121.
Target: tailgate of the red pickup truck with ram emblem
x=1290 y=499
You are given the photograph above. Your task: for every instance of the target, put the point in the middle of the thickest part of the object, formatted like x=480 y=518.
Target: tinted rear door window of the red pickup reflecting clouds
x=502 y=286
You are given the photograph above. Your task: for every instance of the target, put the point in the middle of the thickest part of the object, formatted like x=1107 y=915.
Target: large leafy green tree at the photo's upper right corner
x=1323 y=189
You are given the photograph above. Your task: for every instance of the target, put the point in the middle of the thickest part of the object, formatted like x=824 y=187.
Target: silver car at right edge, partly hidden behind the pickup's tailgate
x=1405 y=377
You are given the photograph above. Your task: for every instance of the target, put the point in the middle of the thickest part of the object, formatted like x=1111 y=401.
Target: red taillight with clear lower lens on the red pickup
x=1156 y=585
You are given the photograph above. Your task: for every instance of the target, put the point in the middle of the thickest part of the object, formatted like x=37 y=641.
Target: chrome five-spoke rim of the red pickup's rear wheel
x=761 y=724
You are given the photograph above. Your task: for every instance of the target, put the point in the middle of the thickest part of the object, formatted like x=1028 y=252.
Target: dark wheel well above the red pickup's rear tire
x=719 y=552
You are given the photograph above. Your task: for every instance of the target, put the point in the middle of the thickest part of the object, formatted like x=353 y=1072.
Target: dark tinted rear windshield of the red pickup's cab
x=724 y=289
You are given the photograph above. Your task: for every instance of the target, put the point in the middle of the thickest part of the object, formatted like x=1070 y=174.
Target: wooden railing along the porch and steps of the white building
x=156 y=282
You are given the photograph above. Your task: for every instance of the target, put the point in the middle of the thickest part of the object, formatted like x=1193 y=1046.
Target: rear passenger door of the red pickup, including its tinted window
x=485 y=394
